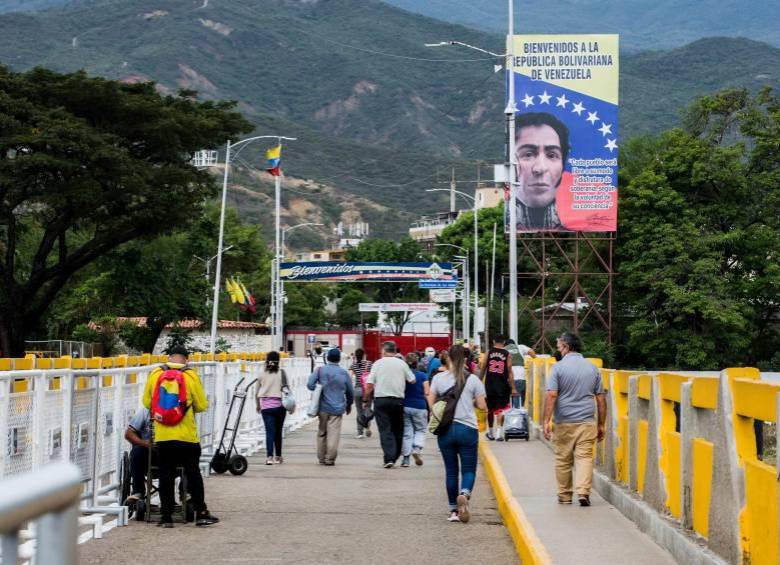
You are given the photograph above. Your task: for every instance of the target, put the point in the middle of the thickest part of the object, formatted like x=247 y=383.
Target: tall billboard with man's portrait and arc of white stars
x=566 y=93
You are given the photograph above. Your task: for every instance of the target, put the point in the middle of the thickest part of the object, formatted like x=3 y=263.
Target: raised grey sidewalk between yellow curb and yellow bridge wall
x=599 y=534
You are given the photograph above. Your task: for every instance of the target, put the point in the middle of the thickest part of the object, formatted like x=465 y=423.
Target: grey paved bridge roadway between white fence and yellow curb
x=301 y=512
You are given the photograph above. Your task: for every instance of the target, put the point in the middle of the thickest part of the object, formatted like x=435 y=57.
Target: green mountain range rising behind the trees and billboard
x=378 y=116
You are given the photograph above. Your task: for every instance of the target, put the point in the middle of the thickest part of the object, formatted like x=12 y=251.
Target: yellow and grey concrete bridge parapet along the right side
x=680 y=459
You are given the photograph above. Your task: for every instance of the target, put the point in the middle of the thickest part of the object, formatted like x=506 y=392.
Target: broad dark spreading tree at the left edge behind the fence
x=87 y=164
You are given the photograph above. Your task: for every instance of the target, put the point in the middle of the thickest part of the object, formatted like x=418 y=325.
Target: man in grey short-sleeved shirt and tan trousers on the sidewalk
x=571 y=388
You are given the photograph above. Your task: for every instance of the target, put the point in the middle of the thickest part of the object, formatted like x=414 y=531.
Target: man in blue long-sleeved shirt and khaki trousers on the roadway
x=336 y=399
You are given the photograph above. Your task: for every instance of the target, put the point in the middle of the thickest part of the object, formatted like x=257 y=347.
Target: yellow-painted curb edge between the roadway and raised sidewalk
x=528 y=545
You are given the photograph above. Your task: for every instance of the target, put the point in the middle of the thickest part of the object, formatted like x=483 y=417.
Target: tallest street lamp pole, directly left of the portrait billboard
x=509 y=112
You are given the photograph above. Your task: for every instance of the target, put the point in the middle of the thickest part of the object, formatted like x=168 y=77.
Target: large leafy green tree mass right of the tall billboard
x=700 y=238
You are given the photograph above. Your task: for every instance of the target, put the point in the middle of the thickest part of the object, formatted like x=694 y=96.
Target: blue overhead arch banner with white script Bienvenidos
x=336 y=271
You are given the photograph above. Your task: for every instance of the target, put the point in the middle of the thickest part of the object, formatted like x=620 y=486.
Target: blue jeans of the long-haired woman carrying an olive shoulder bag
x=459 y=449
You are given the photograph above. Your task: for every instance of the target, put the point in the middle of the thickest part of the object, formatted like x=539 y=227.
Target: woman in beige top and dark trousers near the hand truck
x=269 y=406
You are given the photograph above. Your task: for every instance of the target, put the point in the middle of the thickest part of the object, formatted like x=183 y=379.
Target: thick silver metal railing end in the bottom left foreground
x=49 y=497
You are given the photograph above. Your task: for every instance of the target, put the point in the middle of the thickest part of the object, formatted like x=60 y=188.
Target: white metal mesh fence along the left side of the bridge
x=81 y=415
